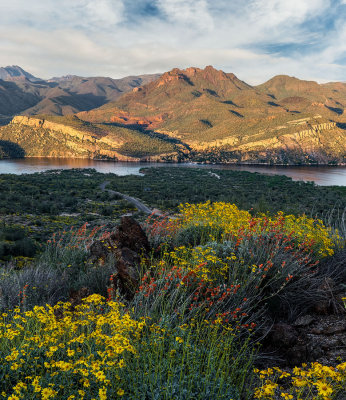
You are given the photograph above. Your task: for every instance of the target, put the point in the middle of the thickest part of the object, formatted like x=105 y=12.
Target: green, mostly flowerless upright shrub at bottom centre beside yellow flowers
x=191 y=361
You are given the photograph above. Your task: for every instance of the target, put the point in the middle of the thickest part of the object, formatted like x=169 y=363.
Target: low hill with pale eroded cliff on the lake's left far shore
x=39 y=137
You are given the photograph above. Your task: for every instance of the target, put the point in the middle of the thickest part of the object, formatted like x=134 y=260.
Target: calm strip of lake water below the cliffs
x=320 y=175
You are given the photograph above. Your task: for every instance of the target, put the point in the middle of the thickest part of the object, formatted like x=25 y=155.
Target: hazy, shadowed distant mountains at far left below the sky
x=22 y=93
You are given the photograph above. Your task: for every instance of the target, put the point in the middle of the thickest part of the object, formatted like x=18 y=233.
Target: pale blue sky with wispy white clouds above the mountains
x=254 y=39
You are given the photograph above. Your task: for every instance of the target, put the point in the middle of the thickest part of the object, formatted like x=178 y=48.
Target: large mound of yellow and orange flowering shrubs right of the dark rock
x=248 y=263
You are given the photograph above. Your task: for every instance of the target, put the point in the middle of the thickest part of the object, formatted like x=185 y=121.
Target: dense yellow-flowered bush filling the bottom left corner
x=57 y=352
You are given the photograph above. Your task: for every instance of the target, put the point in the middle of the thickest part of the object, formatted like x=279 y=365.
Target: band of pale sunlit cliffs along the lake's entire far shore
x=298 y=141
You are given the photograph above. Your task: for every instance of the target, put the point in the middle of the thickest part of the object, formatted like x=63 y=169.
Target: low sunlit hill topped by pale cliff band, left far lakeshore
x=56 y=136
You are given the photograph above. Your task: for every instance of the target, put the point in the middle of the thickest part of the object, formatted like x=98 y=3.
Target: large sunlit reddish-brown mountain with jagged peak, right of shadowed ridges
x=284 y=120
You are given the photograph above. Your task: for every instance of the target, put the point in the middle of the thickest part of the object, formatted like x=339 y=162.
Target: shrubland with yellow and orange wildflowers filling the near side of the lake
x=216 y=274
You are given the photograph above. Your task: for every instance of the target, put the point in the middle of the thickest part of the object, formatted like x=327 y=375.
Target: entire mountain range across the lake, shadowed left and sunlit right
x=194 y=114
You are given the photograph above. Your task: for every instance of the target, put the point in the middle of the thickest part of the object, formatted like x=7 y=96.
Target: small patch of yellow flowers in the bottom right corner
x=318 y=382
